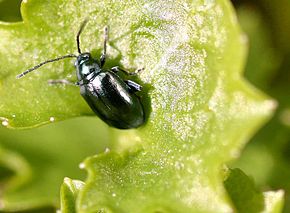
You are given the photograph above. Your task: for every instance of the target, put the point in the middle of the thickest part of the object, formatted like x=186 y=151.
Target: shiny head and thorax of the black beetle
x=86 y=66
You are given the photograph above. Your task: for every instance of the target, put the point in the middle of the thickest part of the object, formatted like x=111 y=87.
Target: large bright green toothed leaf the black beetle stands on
x=200 y=112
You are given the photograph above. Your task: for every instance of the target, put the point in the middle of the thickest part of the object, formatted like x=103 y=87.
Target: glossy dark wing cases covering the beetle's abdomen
x=109 y=97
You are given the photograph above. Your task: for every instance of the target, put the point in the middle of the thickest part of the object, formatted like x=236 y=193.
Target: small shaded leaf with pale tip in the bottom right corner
x=247 y=198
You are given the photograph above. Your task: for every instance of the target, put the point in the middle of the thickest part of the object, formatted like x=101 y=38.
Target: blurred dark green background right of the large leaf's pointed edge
x=266 y=158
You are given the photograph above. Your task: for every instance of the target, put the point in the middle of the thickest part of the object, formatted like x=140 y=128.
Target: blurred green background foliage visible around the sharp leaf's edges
x=266 y=158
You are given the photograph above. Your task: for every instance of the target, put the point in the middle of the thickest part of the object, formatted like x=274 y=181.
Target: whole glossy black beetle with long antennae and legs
x=111 y=97
